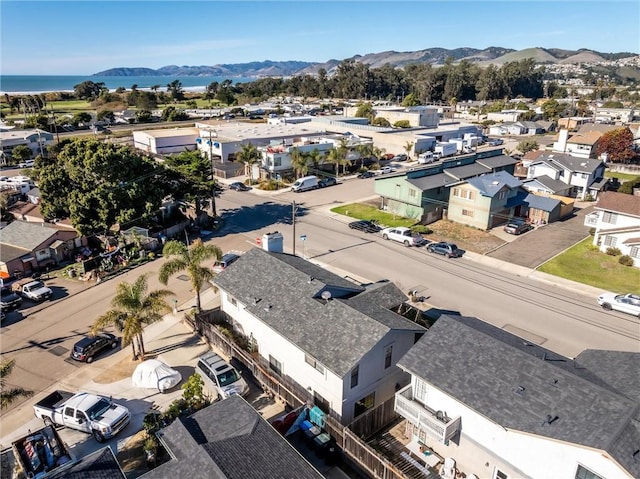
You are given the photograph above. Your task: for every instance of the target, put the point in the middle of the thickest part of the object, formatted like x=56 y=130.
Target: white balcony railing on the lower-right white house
x=435 y=424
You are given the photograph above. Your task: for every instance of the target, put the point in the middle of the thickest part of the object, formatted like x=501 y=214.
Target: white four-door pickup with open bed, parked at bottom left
x=85 y=412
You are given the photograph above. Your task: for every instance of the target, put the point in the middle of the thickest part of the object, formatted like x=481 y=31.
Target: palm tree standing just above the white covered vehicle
x=133 y=309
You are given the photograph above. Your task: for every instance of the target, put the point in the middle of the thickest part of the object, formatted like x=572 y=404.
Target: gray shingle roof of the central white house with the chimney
x=276 y=288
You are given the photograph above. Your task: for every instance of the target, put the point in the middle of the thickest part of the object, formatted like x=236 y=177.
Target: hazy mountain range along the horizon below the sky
x=434 y=56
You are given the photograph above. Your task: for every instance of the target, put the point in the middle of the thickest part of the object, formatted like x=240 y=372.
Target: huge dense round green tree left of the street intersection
x=97 y=185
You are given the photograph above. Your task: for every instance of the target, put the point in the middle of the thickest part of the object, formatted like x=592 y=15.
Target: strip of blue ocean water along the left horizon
x=32 y=84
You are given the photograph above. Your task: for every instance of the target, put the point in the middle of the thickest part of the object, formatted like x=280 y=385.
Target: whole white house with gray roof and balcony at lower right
x=504 y=407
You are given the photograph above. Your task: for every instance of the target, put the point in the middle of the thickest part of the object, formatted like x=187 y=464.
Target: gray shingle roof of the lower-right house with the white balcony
x=482 y=366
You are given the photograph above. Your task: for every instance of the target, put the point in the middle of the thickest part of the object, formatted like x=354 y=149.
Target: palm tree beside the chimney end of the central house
x=182 y=258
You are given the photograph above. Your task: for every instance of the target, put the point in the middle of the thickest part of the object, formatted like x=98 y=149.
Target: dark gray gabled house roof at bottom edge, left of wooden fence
x=228 y=440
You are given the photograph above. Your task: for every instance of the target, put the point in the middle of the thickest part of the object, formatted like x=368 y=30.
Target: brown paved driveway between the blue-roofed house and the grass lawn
x=534 y=248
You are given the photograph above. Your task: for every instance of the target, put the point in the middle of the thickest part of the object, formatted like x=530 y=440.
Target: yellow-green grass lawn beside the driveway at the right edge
x=584 y=265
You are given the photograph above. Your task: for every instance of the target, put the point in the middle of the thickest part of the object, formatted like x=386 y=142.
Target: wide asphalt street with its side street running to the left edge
x=565 y=321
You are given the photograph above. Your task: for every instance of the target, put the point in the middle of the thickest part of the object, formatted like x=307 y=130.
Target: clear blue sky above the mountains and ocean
x=84 y=37
